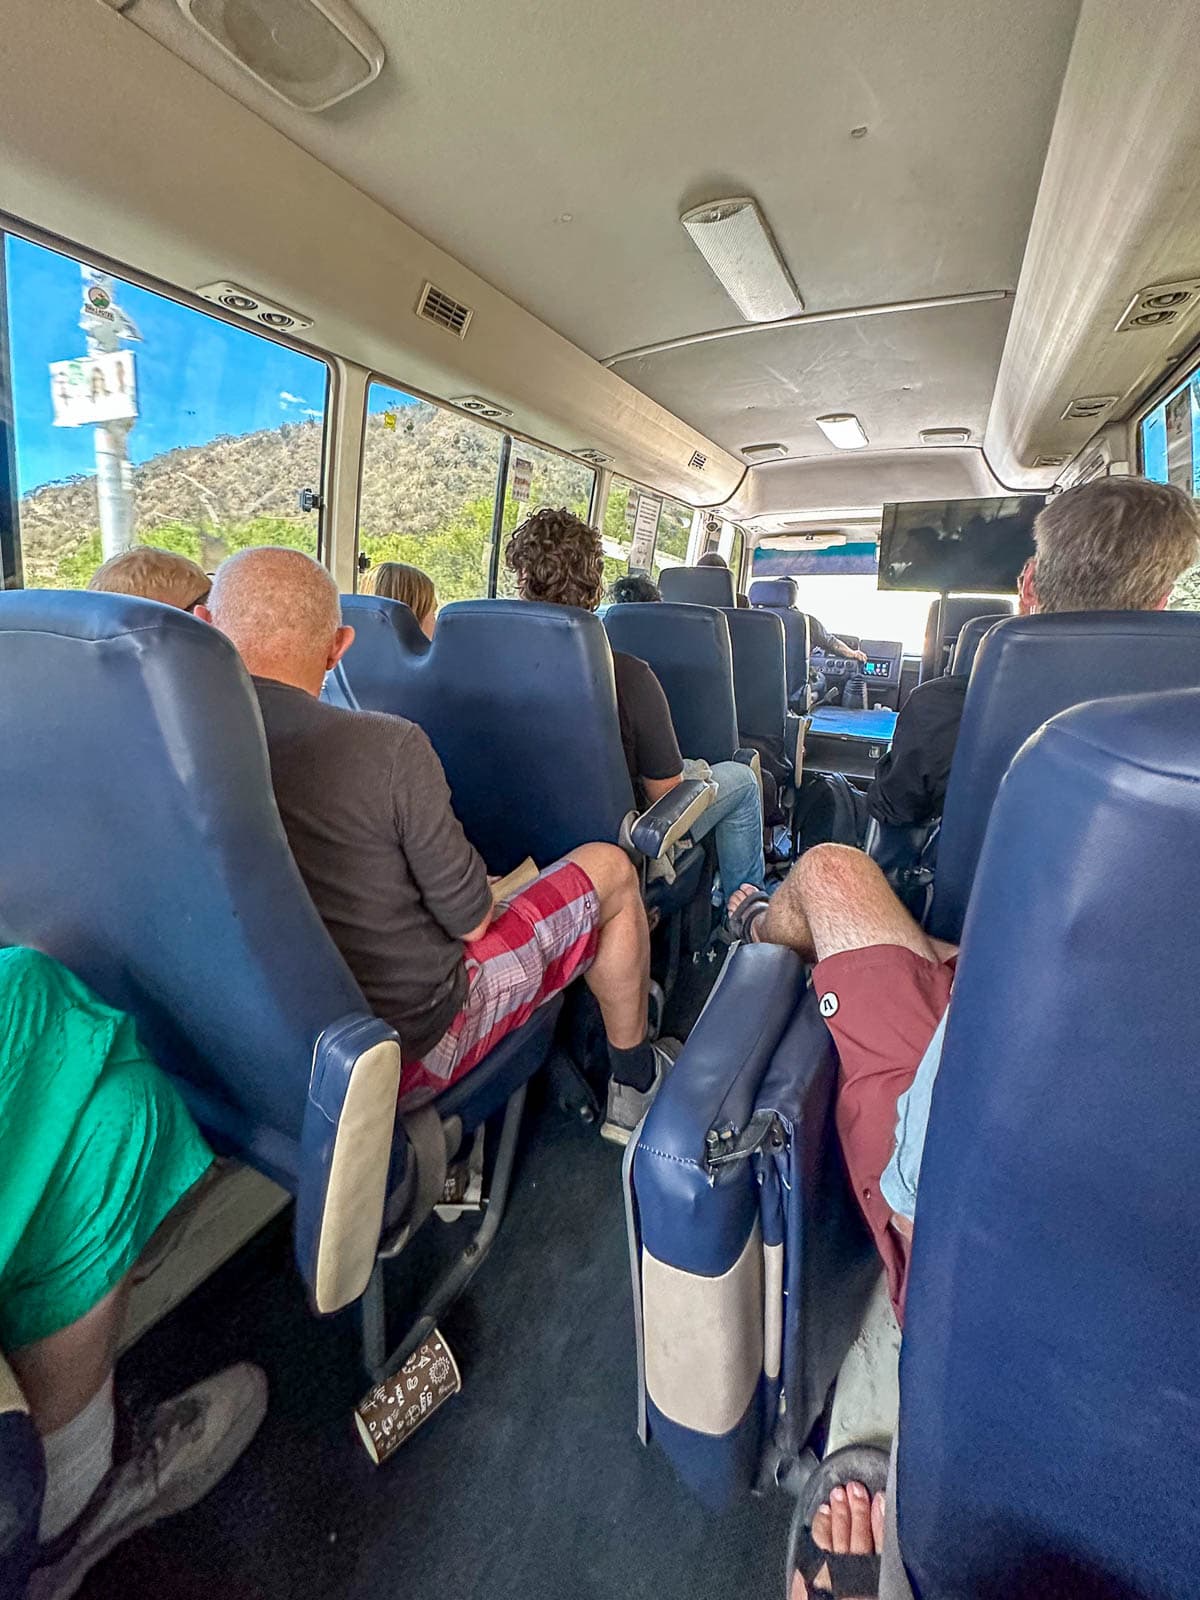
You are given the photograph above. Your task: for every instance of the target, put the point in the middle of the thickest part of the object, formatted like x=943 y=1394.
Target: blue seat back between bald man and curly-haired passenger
x=521 y=706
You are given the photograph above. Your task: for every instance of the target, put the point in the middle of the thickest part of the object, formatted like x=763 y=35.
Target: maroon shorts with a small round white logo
x=882 y=1006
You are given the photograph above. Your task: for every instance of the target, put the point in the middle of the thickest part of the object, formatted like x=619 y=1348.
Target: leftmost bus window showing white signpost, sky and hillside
x=145 y=422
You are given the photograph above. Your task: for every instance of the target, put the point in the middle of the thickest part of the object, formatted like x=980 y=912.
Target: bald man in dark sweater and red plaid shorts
x=404 y=895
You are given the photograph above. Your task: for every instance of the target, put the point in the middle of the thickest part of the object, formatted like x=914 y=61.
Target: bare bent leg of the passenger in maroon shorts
x=838 y=900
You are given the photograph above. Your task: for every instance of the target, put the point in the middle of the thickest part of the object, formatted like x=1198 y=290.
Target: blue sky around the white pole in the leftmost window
x=196 y=377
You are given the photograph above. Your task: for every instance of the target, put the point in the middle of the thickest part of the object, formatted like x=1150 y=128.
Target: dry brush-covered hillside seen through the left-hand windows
x=428 y=492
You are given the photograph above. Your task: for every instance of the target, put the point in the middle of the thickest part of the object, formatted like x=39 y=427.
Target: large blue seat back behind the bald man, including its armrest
x=142 y=847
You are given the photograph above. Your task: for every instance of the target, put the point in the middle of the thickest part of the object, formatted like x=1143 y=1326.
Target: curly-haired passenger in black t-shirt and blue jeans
x=558 y=559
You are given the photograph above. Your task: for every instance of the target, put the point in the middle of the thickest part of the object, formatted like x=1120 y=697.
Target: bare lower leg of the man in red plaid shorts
x=620 y=975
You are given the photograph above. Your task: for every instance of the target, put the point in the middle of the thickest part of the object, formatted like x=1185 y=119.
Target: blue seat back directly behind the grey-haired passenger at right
x=1028 y=671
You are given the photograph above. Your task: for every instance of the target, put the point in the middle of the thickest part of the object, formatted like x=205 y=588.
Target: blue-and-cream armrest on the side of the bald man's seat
x=346 y=1151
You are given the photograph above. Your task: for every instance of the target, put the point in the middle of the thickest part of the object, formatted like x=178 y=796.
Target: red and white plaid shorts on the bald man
x=542 y=940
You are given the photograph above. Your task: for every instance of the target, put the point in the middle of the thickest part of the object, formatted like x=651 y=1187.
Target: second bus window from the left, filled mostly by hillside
x=428 y=490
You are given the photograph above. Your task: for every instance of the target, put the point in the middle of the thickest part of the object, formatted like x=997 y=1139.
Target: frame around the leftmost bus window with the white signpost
x=10 y=494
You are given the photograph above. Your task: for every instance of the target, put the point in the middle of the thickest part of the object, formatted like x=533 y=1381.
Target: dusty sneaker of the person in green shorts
x=185 y=1450
